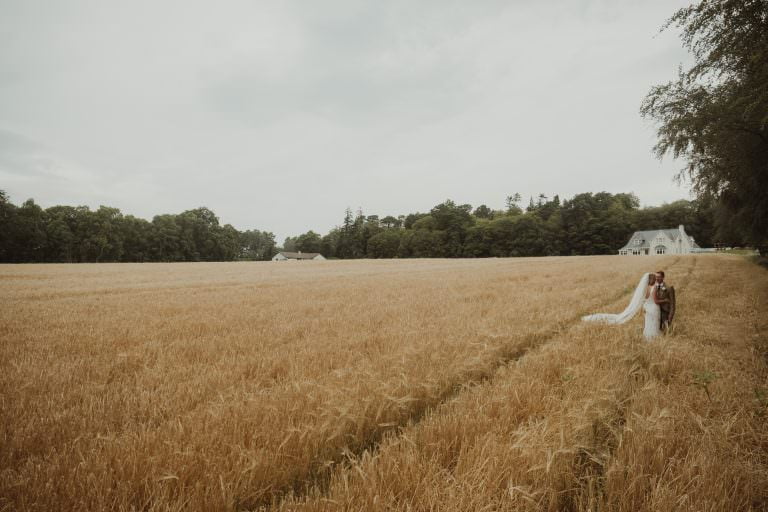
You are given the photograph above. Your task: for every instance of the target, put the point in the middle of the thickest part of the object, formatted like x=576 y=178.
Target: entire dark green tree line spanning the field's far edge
x=588 y=223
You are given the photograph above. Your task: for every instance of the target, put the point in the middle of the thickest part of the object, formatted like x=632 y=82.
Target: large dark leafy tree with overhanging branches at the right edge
x=715 y=114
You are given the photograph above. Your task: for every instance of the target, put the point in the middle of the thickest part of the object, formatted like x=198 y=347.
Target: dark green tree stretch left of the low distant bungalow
x=77 y=234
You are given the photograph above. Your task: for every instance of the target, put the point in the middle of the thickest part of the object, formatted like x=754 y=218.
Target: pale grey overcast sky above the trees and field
x=278 y=115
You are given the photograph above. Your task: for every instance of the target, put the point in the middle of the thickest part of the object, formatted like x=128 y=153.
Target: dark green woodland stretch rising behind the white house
x=588 y=223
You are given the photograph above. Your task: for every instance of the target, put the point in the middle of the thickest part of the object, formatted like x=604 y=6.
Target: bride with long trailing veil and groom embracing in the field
x=657 y=300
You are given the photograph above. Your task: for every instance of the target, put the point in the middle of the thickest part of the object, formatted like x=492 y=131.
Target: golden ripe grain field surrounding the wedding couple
x=455 y=385
